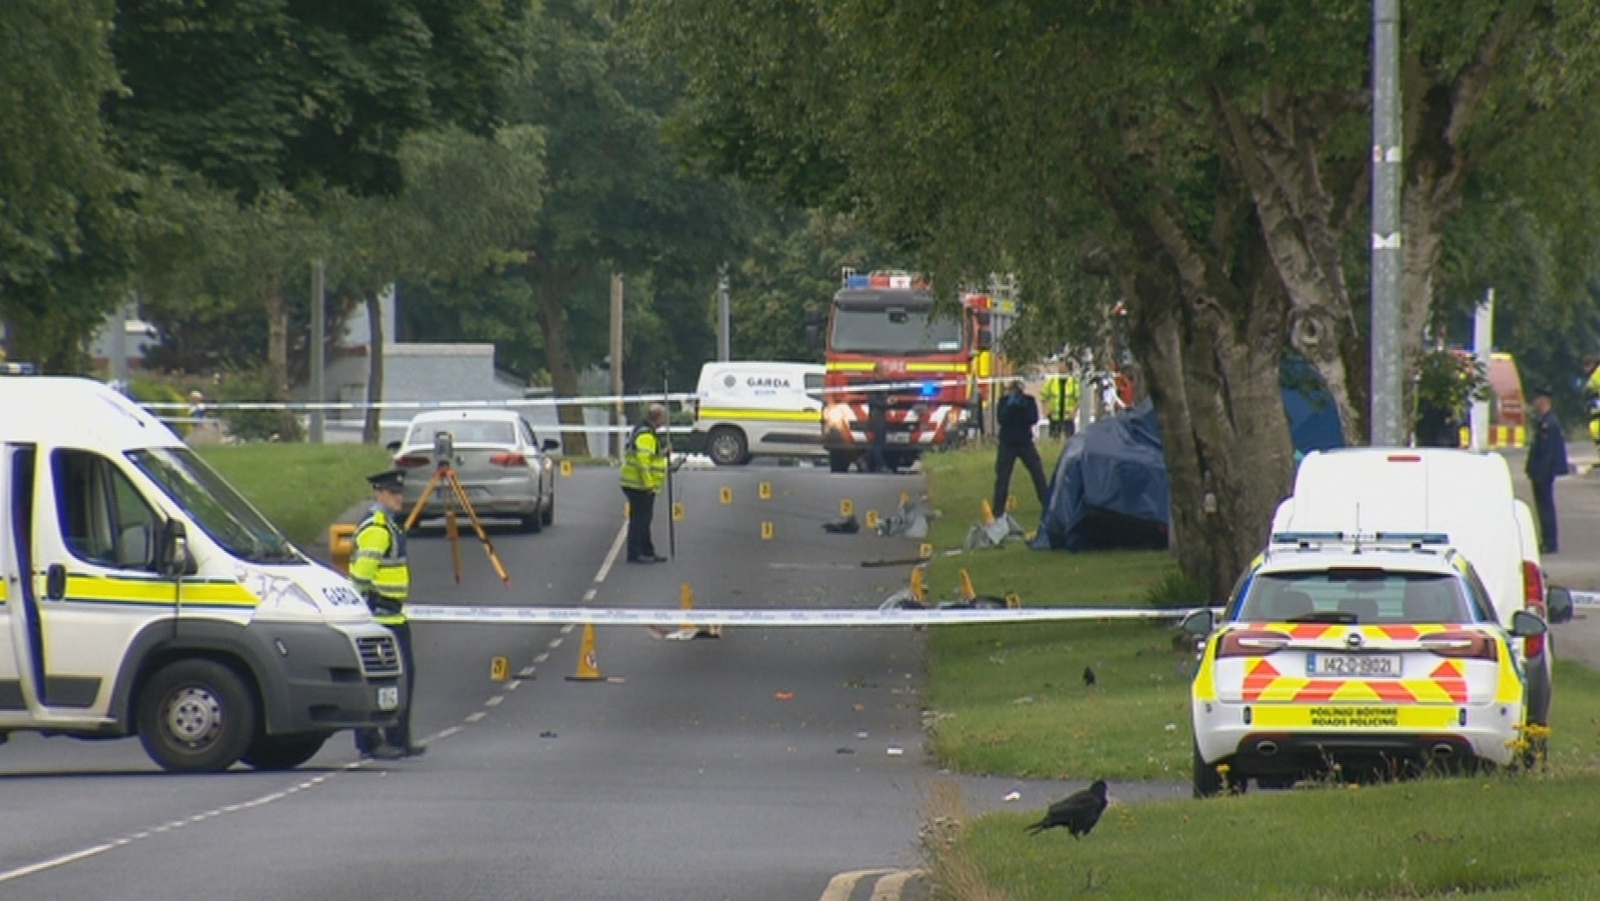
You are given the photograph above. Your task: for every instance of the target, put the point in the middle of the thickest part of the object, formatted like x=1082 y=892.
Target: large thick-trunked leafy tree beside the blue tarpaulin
x=1209 y=161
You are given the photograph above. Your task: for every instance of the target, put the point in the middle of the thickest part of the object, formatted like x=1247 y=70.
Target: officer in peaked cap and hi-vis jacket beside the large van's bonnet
x=380 y=572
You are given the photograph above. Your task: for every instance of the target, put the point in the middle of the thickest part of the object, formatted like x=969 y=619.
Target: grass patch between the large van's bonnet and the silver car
x=302 y=489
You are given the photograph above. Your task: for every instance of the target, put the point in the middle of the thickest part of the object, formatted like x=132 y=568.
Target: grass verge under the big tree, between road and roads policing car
x=1012 y=700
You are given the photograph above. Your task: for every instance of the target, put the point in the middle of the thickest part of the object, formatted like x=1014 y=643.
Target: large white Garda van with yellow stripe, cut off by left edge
x=140 y=595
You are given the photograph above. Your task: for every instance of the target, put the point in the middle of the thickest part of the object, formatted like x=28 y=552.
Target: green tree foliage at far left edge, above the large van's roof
x=63 y=230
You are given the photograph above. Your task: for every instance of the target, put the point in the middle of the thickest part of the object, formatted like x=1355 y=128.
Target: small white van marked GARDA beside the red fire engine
x=751 y=409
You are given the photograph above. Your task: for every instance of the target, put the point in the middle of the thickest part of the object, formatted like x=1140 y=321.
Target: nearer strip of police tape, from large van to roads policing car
x=713 y=617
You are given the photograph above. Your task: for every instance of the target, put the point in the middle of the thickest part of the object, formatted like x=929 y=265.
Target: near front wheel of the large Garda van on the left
x=196 y=716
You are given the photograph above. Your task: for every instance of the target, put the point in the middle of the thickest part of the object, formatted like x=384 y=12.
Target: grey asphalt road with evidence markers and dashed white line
x=759 y=766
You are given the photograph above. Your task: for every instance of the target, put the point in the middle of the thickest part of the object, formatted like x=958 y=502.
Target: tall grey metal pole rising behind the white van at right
x=1386 y=378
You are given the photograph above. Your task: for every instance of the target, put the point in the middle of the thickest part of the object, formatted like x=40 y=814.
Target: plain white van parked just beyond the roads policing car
x=1463 y=495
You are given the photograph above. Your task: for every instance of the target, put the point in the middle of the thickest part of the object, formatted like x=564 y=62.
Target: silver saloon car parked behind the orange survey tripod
x=495 y=457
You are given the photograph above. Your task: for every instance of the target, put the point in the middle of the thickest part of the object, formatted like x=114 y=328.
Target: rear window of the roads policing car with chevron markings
x=1362 y=595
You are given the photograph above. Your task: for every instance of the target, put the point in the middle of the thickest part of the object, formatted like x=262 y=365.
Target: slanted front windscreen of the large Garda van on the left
x=215 y=507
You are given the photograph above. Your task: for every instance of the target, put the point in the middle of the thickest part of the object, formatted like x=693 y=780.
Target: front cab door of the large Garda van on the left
x=97 y=582
